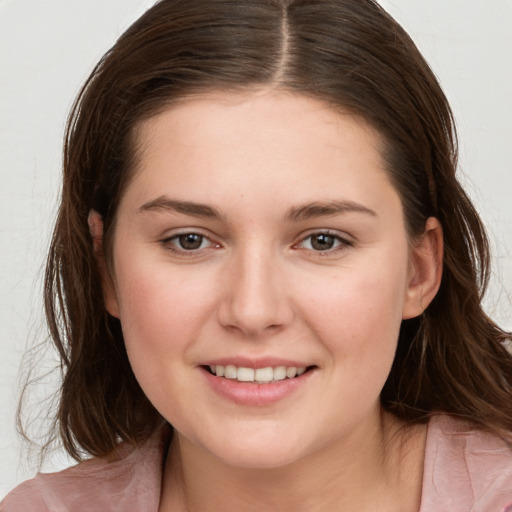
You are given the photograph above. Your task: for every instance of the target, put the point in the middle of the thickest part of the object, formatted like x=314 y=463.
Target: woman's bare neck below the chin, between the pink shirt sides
x=381 y=472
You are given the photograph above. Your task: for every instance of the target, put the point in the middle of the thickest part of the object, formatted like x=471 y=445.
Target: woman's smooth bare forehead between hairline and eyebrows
x=223 y=147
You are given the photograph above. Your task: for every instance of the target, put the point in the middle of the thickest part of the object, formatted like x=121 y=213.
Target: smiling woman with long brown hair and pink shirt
x=265 y=277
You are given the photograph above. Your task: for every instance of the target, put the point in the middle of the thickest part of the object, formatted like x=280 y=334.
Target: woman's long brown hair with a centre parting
x=348 y=53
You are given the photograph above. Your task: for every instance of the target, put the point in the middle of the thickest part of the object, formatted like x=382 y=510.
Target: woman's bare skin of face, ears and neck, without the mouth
x=258 y=287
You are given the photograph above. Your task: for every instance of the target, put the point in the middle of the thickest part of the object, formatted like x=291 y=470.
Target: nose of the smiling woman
x=256 y=300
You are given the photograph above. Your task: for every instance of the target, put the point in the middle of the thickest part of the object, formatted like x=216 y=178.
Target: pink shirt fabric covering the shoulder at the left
x=128 y=482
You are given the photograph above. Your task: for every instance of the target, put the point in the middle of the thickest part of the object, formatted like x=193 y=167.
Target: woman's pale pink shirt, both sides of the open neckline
x=466 y=470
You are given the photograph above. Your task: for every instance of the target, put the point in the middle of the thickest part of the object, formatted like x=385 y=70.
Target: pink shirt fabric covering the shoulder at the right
x=466 y=468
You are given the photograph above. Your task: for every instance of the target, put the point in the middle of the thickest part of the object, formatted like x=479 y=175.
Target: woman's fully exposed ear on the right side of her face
x=425 y=269
